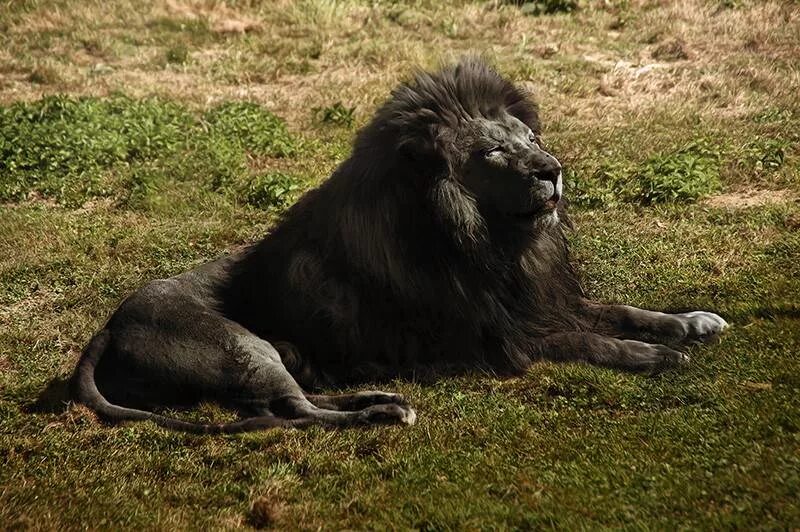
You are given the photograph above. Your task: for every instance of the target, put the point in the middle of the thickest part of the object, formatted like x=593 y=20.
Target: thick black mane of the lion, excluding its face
x=390 y=268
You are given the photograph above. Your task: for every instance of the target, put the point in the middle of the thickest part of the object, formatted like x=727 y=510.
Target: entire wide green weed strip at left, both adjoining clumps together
x=69 y=149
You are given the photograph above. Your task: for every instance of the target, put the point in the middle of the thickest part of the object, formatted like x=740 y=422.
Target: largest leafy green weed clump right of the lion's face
x=684 y=175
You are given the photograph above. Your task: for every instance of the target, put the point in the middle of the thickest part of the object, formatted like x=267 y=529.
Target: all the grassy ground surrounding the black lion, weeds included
x=140 y=139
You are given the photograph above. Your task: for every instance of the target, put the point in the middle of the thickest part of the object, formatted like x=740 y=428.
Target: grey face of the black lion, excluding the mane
x=506 y=170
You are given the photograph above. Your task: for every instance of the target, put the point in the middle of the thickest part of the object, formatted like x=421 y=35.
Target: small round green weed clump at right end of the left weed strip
x=252 y=127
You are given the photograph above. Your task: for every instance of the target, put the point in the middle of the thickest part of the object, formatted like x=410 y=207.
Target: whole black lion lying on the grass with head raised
x=437 y=247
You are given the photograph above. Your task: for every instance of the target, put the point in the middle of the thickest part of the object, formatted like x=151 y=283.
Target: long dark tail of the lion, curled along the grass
x=84 y=390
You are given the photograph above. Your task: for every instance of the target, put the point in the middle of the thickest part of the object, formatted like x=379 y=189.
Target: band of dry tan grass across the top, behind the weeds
x=294 y=56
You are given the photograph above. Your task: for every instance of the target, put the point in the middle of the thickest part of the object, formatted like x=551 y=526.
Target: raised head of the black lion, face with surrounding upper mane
x=475 y=136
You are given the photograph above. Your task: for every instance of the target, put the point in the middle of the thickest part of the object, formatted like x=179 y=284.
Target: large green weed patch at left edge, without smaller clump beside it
x=59 y=146
